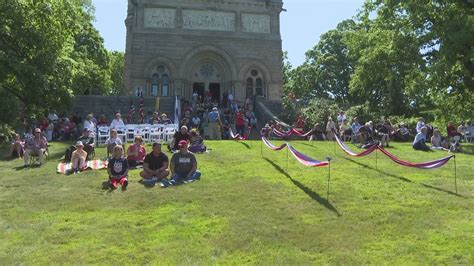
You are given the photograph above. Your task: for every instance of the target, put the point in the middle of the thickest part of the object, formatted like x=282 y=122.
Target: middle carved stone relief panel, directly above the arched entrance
x=208 y=20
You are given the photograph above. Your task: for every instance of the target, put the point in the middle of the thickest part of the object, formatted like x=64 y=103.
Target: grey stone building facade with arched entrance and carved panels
x=177 y=47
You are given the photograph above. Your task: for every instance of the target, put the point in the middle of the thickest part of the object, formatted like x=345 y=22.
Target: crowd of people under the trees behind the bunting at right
x=381 y=132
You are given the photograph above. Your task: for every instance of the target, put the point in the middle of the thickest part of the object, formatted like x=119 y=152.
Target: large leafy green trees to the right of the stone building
x=397 y=58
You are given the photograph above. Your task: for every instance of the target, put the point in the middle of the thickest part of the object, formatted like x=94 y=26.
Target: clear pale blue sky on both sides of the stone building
x=301 y=25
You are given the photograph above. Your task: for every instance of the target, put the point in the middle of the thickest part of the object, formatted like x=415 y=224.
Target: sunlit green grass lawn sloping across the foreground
x=245 y=210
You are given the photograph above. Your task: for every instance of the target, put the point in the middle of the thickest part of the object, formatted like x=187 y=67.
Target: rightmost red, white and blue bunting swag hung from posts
x=424 y=165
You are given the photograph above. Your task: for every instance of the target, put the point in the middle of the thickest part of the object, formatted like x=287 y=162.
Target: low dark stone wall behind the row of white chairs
x=109 y=105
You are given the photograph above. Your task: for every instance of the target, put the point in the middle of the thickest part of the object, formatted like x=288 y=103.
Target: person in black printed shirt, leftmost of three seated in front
x=118 y=169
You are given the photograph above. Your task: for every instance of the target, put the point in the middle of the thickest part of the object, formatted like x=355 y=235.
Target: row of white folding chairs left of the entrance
x=149 y=133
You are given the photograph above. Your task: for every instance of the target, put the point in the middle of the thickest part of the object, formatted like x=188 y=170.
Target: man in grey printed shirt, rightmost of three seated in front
x=183 y=166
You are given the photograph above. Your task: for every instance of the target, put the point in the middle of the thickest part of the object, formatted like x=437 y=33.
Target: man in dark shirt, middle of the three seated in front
x=155 y=166
